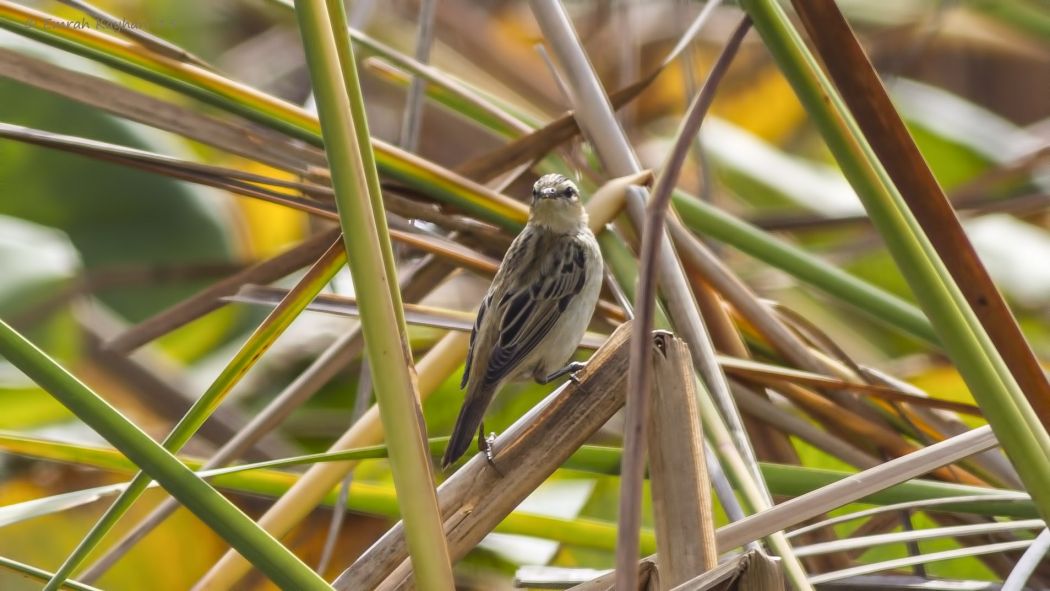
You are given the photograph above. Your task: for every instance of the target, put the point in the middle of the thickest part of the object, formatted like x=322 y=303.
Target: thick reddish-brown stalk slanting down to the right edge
x=868 y=100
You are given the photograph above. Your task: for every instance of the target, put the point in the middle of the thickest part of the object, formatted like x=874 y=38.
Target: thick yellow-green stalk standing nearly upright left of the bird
x=342 y=112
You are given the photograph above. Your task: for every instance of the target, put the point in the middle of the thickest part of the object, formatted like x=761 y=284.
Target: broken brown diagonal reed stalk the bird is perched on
x=477 y=498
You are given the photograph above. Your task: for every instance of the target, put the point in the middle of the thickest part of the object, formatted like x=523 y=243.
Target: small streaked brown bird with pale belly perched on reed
x=536 y=311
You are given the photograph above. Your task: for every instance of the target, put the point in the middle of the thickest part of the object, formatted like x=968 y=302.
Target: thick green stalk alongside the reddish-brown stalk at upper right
x=1015 y=424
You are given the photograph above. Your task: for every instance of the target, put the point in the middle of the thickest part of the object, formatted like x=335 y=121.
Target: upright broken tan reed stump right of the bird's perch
x=678 y=473
